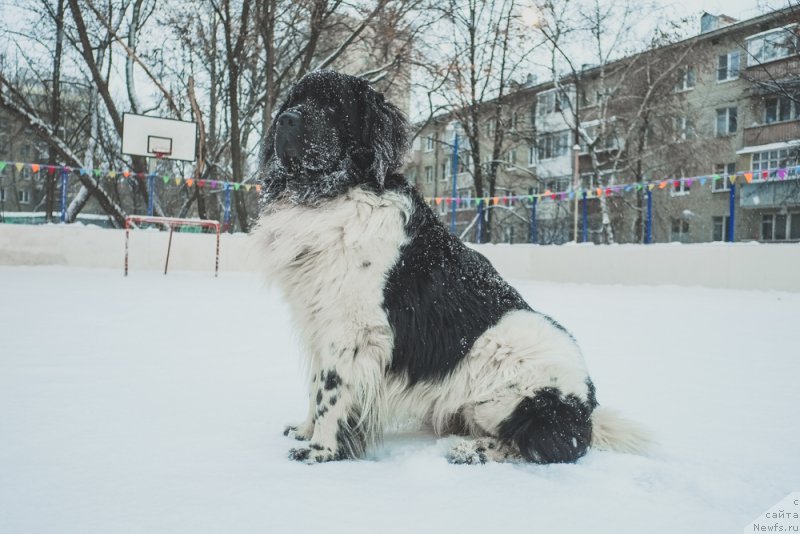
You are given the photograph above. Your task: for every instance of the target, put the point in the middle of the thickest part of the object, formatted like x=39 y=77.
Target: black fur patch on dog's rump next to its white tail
x=550 y=427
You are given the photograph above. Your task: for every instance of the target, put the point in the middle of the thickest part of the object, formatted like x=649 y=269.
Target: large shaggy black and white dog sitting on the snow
x=397 y=316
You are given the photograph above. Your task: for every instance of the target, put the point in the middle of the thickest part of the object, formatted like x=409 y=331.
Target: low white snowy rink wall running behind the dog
x=722 y=265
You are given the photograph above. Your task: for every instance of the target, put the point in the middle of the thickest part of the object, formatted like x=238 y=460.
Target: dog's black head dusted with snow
x=333 y=132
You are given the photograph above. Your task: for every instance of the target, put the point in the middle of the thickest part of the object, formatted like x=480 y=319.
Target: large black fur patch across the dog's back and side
x=440 y=297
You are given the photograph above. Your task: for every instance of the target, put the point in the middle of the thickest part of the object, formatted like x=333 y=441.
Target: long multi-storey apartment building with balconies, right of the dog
x=692 y=115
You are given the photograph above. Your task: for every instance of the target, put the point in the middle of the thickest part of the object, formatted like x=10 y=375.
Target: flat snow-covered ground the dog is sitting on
x=156 y=404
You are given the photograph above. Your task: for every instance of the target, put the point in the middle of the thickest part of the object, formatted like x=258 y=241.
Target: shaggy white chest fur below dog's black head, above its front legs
x=332 y=261
